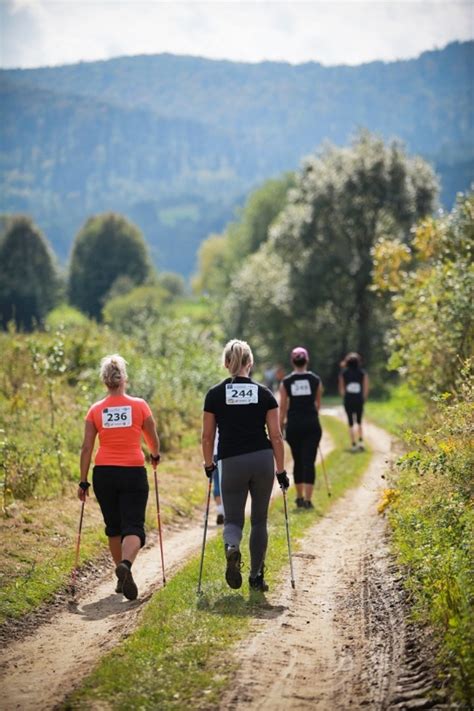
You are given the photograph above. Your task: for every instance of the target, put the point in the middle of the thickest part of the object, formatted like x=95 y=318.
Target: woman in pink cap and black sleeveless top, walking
x=300 y=402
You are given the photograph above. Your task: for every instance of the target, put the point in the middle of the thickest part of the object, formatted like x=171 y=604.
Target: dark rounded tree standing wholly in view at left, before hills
x=108 y=248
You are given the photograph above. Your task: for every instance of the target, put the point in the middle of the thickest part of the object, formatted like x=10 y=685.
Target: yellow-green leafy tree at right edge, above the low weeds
x=433 y=301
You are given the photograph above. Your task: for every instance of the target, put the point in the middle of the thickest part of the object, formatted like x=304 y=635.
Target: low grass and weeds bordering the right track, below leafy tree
x=432 y=519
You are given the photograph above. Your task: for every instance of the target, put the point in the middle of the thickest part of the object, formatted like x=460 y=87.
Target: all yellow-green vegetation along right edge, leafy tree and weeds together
x=431 y=504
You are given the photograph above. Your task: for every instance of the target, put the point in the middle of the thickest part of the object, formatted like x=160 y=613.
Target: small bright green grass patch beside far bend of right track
x=401 y=410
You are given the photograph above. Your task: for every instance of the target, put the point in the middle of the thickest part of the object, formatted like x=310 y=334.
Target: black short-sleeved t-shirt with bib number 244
x=240 y=406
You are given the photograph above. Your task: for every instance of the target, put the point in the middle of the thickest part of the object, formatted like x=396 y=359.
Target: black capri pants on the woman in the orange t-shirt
x=122 y=493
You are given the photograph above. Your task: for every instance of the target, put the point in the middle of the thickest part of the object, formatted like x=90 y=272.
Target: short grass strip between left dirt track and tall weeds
x=39 y=537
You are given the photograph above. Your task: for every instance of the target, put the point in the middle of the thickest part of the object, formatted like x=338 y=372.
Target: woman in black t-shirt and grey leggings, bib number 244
x=243 y=411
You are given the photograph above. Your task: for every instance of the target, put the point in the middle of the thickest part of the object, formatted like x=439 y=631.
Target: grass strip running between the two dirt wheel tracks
x=177 y=658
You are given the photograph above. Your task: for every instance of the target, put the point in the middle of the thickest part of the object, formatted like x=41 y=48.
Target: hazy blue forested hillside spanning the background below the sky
x=175 y=143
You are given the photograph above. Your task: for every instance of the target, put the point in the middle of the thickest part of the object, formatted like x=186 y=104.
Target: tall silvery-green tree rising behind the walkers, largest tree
x=345 y=199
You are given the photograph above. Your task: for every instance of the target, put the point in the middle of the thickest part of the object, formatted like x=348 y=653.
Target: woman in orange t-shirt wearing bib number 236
x=119 y=477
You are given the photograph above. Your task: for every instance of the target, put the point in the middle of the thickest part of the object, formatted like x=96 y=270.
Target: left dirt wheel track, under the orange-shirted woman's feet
x=38 y=671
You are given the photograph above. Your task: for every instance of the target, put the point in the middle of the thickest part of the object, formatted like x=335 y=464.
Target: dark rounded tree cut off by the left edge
x=29 y=282
